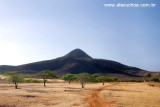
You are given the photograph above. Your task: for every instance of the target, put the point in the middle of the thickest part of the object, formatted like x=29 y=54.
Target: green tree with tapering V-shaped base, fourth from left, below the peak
x=83 y=78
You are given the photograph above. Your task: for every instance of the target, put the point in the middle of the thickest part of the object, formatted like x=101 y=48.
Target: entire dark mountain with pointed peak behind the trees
x=77 y=61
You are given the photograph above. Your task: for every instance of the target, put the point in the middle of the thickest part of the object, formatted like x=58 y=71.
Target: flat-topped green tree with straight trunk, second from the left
x=46 y=74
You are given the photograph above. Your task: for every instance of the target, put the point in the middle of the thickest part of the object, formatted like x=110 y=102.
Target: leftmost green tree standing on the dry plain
x=15 y=78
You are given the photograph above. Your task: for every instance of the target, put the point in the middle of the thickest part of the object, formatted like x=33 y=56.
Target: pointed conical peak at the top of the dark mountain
x=78 y=53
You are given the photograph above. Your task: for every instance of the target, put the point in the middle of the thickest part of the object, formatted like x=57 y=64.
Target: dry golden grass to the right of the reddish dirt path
x=133 y=95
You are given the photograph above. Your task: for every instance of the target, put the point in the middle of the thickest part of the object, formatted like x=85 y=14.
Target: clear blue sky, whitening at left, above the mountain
x=35 y=30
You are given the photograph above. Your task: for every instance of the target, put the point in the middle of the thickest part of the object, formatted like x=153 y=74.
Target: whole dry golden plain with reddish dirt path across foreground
x=61 y=94
